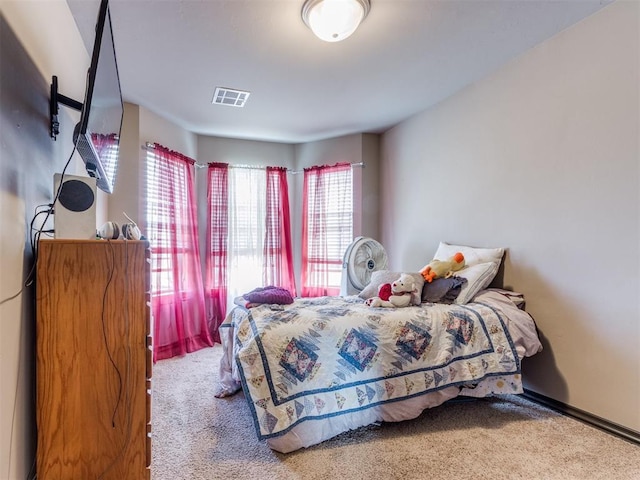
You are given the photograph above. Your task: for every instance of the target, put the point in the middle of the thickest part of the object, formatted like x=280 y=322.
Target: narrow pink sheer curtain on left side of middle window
x=217 y=234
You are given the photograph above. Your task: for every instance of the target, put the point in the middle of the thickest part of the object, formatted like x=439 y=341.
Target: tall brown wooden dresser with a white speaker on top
x=94 y=359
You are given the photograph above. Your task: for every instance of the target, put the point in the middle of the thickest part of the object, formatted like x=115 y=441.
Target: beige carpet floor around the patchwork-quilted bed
x=197 y=436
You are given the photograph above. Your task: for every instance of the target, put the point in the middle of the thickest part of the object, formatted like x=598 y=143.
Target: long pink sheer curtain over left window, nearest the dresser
x=177 y=300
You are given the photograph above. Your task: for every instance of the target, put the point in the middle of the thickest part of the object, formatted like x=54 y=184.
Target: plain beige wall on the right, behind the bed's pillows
x=542 y=157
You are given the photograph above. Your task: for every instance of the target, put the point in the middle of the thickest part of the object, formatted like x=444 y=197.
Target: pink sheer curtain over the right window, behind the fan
x=321 y=263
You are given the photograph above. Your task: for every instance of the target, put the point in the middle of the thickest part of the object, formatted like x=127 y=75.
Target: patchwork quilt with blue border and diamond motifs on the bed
x=328 y=356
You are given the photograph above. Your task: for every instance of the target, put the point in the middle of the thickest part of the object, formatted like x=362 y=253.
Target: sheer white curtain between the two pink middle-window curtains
x=247 y=212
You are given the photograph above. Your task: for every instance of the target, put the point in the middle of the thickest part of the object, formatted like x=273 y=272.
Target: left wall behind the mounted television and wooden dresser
x=28 y=160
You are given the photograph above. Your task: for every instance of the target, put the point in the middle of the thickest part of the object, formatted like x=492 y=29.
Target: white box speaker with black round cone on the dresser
x=75 y=208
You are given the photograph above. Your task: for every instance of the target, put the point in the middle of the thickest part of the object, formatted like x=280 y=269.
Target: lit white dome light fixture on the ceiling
x=334 y=20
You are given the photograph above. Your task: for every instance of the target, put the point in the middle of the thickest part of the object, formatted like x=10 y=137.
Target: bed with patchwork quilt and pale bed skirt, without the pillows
x=318 y=367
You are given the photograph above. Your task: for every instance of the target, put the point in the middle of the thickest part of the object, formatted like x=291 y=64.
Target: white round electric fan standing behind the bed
x=363 y=257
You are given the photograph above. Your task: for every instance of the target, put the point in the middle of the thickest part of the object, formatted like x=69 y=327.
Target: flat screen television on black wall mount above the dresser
x=97 y=135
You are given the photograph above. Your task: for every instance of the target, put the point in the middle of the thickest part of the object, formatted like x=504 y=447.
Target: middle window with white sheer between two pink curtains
x=248 y=235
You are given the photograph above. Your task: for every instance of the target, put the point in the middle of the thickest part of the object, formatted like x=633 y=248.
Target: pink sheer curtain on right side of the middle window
x=278 y=253
